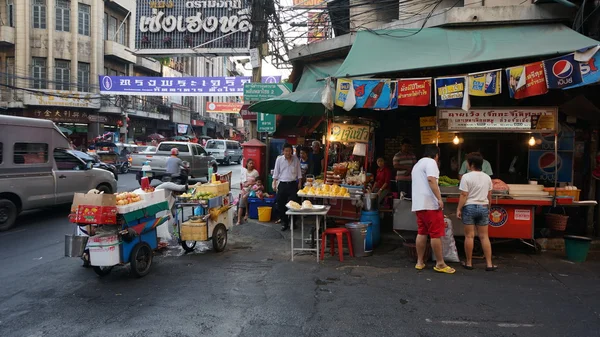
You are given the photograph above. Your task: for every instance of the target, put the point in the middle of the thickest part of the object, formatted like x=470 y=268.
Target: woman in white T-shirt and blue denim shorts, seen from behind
x=474 y=209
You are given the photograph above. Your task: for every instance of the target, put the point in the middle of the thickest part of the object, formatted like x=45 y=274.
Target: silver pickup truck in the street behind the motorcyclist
x=193 y=153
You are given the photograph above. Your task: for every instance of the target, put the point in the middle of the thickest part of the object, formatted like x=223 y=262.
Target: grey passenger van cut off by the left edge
x=39 y=169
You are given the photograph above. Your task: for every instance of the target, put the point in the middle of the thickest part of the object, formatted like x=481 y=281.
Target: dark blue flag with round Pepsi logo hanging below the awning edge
x=562 y=72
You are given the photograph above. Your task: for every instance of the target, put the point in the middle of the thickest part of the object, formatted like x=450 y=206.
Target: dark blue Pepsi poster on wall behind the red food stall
x=542 y=166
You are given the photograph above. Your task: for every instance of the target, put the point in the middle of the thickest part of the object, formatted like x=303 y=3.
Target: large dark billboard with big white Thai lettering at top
x=192 y=27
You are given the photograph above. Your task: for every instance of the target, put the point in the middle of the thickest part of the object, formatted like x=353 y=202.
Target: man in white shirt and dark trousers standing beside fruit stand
x=287 y=180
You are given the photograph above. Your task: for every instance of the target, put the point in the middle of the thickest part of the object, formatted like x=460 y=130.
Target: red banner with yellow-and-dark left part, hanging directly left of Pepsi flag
x=526 y=81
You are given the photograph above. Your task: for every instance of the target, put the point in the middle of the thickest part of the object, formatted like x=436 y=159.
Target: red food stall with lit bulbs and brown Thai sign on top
x=514 y=206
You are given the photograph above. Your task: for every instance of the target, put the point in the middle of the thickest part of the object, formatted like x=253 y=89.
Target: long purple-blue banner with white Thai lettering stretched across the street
x=177 y=86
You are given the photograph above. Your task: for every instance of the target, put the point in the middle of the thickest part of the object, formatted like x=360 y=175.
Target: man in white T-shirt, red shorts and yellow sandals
x=428 y=205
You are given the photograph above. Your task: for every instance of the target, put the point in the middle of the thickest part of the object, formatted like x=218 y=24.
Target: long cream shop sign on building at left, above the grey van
x=71 y=99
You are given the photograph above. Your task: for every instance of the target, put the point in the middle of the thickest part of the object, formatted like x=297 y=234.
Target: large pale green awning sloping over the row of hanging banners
x=398 y=50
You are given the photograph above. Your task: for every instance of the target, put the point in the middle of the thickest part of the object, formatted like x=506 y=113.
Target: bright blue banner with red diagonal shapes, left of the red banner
x=373 y=94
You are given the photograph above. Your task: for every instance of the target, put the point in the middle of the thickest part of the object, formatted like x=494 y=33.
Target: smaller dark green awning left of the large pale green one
x=306 y=100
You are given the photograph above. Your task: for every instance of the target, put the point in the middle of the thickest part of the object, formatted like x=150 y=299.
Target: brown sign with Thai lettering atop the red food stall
x=520 y=119
